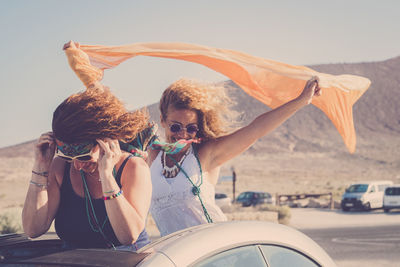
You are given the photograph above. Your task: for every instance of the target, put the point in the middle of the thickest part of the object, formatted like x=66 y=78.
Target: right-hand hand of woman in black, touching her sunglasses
x=110 y=153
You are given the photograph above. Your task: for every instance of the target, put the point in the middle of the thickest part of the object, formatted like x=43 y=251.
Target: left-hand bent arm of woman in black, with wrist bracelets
x=43 y=196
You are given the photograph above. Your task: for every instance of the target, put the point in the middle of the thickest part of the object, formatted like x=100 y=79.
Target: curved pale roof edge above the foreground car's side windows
x=207 y=239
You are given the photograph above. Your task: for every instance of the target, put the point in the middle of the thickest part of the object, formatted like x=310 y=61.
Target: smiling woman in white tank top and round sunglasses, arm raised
x=192 y=115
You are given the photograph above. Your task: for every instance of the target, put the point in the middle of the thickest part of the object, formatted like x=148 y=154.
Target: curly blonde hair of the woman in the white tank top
x=208 y=101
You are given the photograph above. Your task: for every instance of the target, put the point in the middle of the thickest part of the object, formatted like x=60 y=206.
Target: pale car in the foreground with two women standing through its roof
x=234 y=243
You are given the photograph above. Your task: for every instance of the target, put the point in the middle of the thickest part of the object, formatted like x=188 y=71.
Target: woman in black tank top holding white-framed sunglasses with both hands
x=97 y=194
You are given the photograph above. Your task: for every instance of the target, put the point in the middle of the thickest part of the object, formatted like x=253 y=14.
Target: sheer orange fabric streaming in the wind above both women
x=271 y=82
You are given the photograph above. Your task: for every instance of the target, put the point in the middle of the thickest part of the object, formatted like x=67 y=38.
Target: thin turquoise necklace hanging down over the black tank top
x=95 y=225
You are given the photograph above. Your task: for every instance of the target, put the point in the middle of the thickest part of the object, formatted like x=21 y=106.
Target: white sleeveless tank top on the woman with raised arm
x=174 y=207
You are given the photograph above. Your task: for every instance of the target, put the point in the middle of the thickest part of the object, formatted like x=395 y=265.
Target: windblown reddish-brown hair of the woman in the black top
x=96 y=113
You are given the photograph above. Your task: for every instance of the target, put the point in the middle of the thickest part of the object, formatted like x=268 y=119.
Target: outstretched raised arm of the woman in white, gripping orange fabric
x=217 y=152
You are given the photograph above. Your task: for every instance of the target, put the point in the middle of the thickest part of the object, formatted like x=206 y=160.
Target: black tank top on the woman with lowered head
x=71 y=221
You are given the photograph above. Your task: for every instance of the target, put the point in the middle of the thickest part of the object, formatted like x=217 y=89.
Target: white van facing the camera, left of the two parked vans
x=364 y=195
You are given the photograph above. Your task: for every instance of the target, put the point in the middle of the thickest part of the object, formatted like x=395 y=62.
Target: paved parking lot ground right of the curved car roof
x=359 y=238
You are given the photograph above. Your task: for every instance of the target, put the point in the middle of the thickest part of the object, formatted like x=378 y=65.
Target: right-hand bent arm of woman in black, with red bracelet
x=128 y=211
